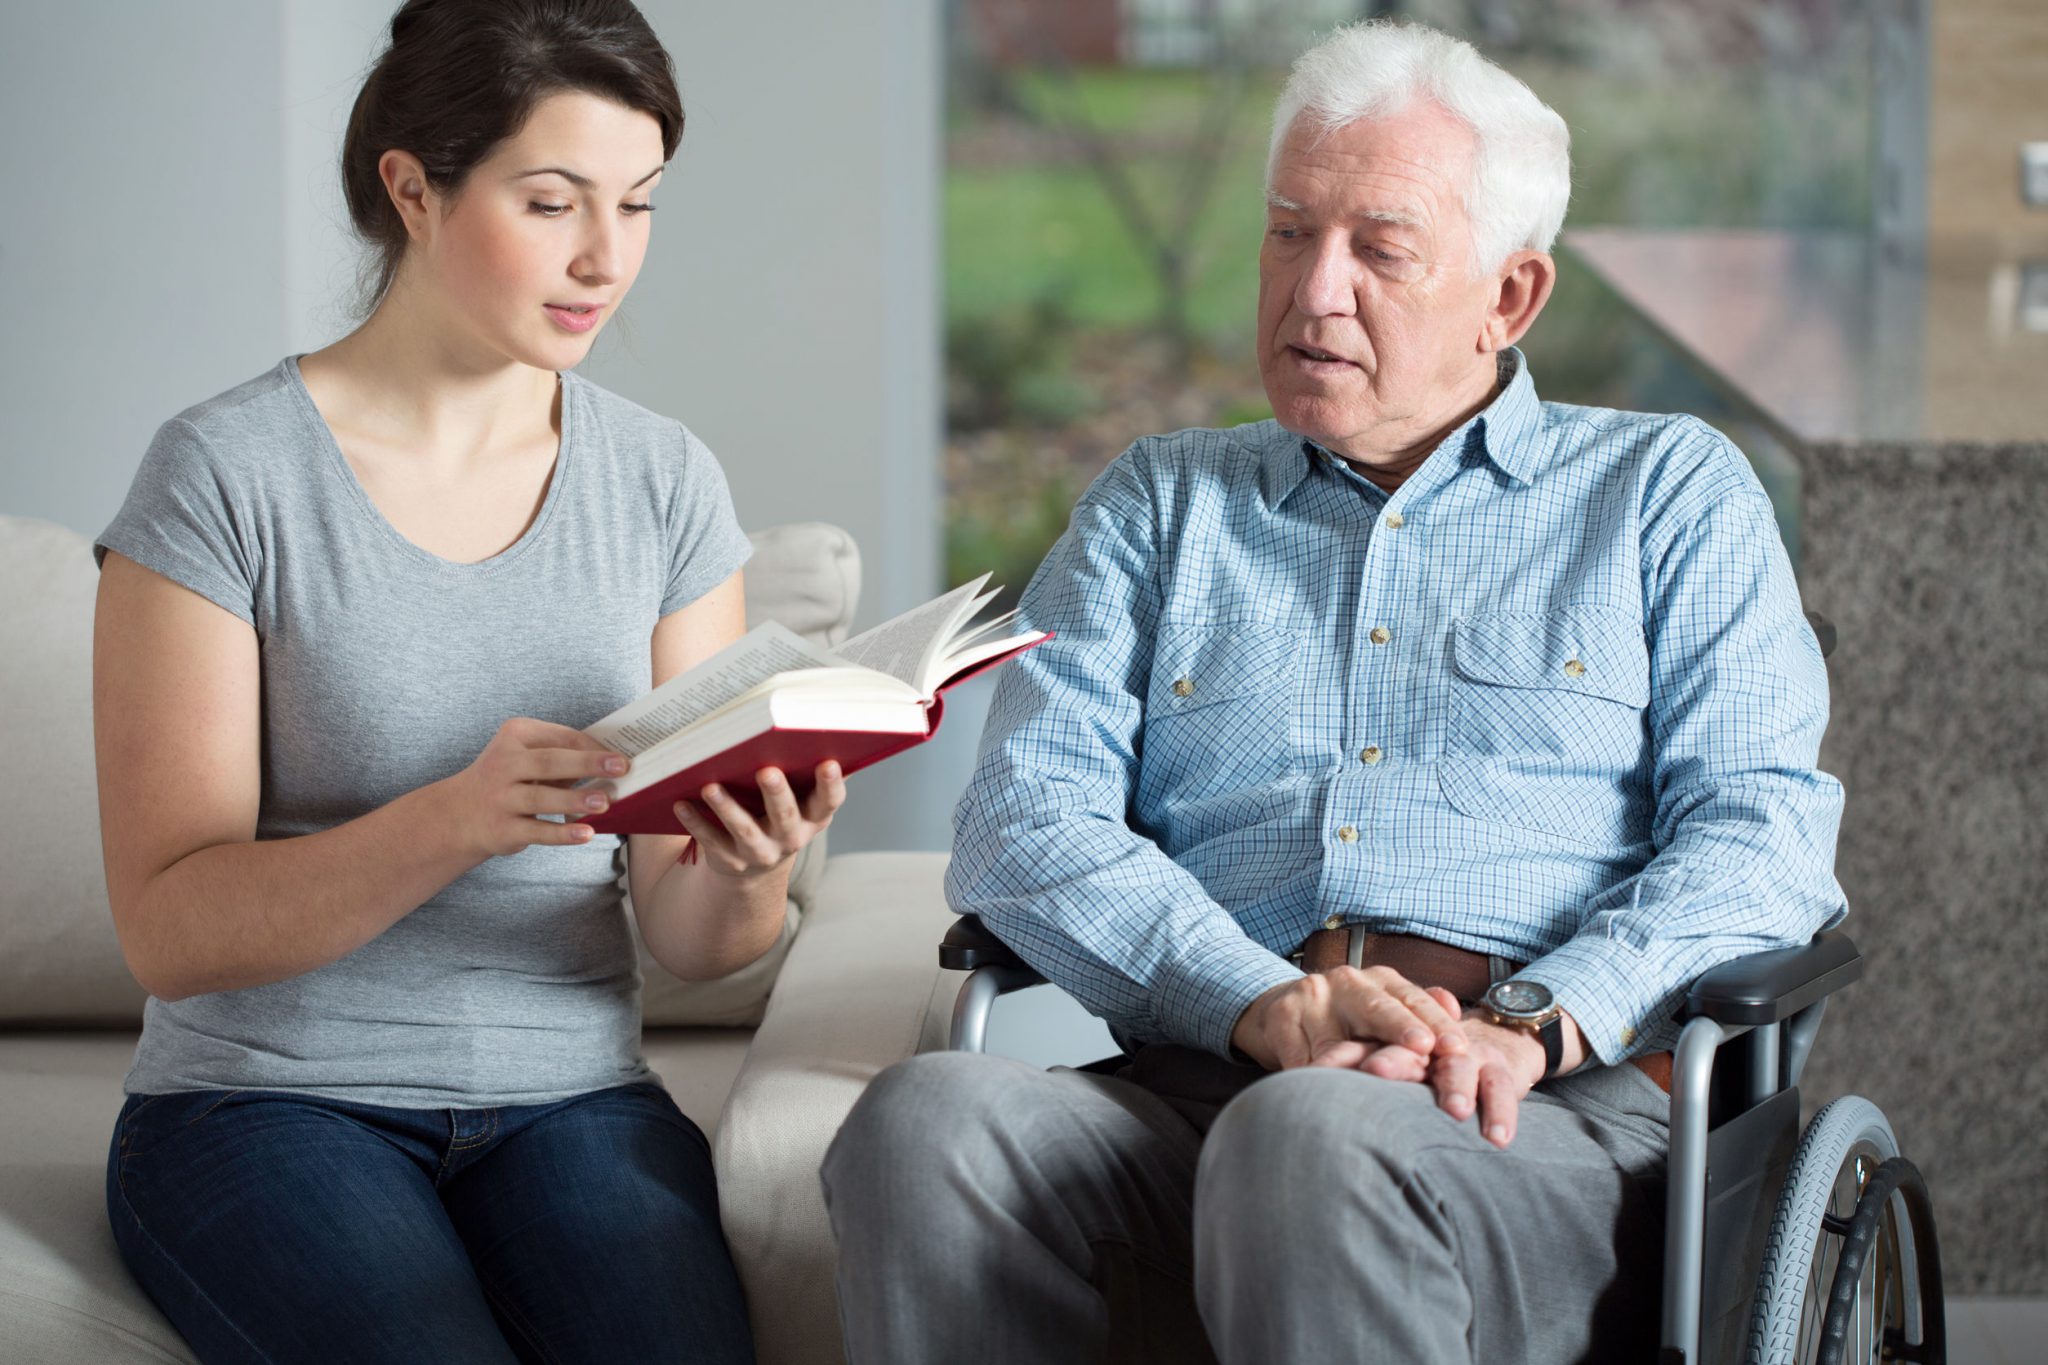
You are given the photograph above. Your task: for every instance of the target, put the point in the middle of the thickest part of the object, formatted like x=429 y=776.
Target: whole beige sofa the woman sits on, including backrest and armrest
x=767 y=1061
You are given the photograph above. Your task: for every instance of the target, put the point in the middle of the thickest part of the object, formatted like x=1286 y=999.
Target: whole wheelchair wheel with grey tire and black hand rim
x=1850 y=1272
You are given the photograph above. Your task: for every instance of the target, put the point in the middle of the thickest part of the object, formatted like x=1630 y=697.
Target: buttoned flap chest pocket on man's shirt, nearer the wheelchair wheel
x=1547 y=723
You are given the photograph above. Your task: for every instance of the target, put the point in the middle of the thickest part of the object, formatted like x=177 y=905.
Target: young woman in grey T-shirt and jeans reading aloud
x=390 y=1102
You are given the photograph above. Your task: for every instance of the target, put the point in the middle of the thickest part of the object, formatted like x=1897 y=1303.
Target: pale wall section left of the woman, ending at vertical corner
x=142 y=261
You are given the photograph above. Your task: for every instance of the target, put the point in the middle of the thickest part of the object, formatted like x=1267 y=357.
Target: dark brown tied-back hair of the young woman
x=464 y=75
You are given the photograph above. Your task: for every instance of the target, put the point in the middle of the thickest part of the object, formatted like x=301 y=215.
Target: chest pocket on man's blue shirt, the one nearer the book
x=1218 y=713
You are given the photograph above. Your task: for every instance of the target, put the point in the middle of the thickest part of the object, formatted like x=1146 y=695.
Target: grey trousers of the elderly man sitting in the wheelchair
x=1191 y=1210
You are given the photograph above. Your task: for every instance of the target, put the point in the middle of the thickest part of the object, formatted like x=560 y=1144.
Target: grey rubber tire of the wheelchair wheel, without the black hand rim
x=1848 y=1141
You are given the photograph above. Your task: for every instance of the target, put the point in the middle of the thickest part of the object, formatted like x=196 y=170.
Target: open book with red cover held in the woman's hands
x=771 y=699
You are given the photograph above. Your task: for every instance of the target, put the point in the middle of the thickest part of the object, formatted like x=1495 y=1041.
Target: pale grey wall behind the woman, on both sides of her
x=173 y=226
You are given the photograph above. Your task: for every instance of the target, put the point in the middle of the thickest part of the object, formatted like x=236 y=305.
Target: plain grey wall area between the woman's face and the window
x=792 y=310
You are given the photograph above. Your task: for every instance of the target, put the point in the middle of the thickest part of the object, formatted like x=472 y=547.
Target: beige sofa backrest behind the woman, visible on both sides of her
x=60 y=961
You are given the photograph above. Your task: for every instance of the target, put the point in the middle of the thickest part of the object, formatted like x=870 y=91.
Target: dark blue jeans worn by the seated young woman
x=275 y=1227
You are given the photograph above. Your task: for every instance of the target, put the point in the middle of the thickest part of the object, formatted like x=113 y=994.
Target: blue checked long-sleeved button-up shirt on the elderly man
x=1553 y=699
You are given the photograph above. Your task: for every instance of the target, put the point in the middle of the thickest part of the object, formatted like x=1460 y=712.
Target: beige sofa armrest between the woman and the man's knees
x=861 y=989
